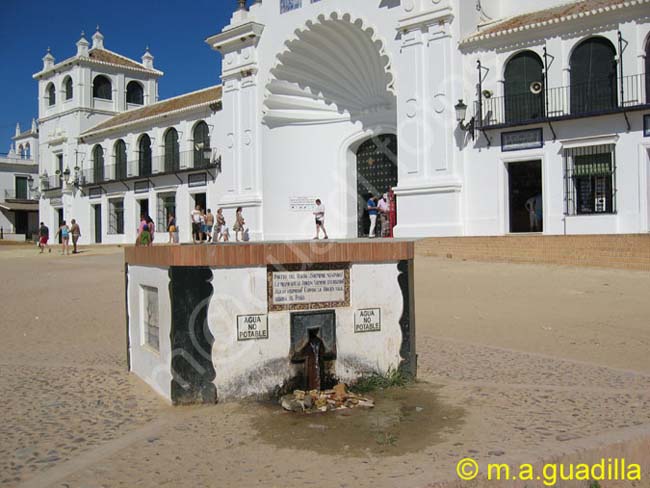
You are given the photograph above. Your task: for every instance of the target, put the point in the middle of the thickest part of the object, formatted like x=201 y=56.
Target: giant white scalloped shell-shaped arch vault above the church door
x=334 y=68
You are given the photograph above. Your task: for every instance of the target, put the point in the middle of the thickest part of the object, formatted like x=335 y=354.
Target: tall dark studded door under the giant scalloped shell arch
x=376 y=175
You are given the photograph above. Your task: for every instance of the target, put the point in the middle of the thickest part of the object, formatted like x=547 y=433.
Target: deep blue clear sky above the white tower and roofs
x=174 y=31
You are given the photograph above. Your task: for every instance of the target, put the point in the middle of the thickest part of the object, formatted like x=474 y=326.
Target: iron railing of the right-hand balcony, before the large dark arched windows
x=595 y=98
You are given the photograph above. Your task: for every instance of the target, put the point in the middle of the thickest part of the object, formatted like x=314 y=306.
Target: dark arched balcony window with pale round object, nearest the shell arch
x=524 y=82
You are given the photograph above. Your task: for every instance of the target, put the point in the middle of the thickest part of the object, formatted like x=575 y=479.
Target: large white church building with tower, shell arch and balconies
x=484 y=117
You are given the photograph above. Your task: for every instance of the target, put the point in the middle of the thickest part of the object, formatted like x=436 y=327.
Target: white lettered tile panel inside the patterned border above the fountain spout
x=300 y=287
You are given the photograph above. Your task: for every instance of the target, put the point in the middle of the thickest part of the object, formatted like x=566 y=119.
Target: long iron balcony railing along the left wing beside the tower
x=173 y=163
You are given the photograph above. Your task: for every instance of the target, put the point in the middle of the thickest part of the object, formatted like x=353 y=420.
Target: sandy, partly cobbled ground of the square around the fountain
x=517 y=364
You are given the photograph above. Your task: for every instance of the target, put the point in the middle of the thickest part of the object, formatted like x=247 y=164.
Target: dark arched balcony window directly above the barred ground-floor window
x=593 y=76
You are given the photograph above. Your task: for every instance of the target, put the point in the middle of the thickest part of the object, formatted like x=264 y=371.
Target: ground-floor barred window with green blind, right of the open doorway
x=590 y=180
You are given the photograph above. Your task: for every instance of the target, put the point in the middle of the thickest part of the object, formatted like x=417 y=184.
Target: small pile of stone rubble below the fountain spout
x=339 y=398
